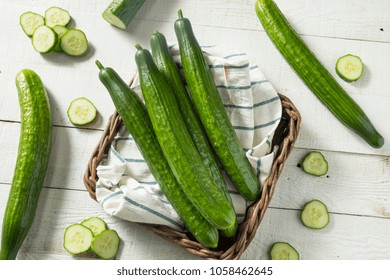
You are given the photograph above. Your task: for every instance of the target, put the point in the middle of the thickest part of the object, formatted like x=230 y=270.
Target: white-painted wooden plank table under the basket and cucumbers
x=356 y=190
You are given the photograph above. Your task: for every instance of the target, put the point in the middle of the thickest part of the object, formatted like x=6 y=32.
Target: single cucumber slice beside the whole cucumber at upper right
x=349 y=68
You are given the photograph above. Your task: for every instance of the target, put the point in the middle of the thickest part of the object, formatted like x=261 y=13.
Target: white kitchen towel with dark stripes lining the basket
x=126 y=188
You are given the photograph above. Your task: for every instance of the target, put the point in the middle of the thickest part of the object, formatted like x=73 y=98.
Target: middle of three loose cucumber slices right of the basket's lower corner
x=315 y=215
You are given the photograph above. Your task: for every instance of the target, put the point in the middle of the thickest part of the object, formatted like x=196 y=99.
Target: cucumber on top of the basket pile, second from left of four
x=177 y=145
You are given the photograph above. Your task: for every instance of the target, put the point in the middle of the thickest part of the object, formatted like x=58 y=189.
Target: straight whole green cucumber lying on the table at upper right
x=314 y=74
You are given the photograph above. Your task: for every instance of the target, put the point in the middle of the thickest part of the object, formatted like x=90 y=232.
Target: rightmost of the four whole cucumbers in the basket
x=212 y=114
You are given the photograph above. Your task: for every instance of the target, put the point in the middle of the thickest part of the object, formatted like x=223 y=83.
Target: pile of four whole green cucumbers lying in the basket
x=184 y=134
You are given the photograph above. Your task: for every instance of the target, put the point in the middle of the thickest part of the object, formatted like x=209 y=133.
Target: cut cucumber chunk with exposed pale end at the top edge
x=121 y=12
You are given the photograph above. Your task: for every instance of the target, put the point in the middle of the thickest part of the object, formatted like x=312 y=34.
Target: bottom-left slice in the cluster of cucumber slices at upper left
x=44 y=39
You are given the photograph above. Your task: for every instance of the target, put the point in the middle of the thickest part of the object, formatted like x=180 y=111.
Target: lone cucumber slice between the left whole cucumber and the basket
x=81 y=111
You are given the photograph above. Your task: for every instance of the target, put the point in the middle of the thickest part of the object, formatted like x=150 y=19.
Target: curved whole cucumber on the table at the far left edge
x=31 y=164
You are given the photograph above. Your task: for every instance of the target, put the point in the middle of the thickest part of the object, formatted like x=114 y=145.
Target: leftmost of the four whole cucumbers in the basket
x=136 y=119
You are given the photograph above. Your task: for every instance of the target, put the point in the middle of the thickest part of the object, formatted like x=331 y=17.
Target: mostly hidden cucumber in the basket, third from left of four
x=164 y=61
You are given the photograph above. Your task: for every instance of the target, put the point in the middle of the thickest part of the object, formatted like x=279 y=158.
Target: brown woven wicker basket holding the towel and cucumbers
x=285 y=137
